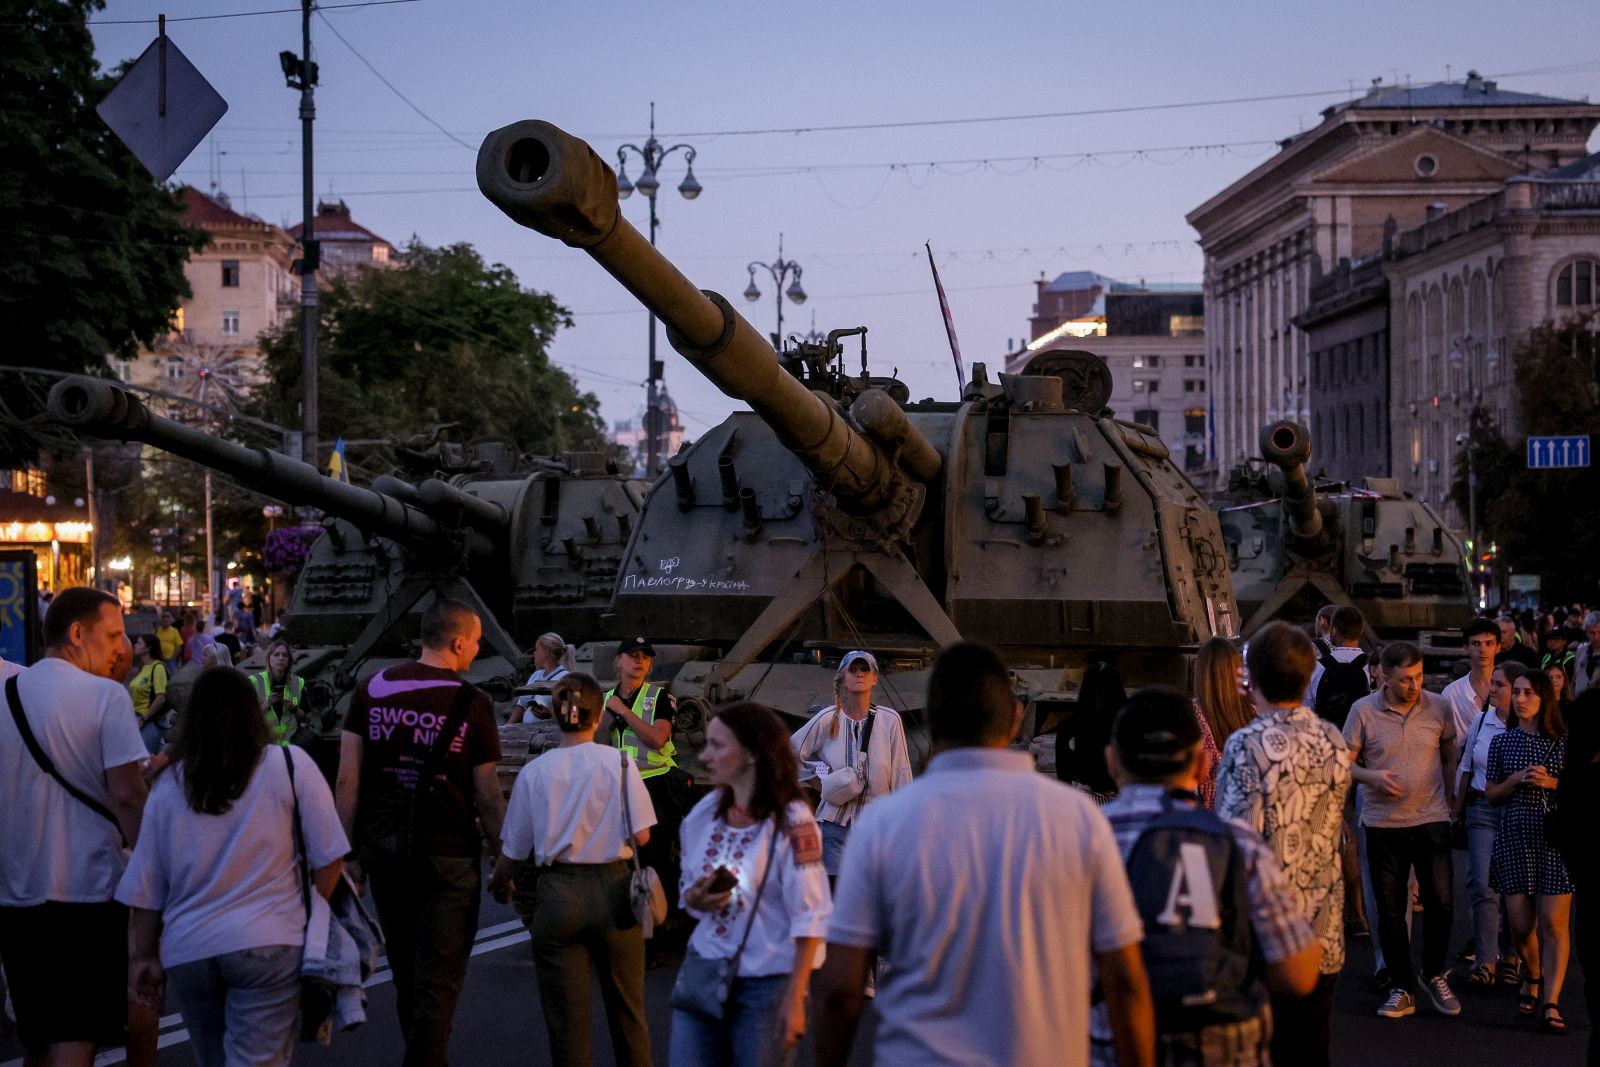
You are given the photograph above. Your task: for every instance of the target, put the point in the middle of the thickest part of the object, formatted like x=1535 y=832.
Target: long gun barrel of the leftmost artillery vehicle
x=105 y=410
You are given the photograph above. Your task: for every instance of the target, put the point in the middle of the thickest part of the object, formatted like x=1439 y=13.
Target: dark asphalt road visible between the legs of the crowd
x=500 y=1020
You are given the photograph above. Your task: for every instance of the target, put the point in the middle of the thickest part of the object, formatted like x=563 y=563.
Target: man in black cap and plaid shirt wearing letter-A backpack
x=1222 y=927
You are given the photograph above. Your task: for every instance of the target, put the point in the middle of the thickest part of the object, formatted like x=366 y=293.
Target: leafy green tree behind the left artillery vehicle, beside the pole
x=441 y=340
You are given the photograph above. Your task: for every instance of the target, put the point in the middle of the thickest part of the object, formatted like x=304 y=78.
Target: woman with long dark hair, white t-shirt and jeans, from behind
x=215 y=881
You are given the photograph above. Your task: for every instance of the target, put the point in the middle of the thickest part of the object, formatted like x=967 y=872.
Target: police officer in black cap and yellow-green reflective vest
x=641 y=725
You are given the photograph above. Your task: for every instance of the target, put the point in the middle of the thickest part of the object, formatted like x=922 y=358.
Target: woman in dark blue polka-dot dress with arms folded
x=1524 y=767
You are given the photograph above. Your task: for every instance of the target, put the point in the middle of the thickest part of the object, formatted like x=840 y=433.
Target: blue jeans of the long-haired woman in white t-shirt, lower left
x=241 y=1007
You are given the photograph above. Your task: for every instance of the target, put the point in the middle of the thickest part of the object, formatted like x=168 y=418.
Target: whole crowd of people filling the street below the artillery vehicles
x=1183 y=897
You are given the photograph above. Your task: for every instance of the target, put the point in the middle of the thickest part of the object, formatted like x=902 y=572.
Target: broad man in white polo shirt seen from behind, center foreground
x=991 y=890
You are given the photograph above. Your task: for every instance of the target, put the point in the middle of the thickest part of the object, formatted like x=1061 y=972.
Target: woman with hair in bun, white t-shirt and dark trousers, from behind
x=567 y=812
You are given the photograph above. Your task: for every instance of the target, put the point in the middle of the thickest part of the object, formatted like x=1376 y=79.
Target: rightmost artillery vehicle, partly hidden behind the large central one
x=1295 y=548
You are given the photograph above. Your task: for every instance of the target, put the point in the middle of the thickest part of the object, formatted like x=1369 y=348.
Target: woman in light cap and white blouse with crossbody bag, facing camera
x=862 y=746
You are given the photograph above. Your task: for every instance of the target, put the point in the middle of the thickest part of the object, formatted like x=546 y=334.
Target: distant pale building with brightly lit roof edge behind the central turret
x=1154 y=343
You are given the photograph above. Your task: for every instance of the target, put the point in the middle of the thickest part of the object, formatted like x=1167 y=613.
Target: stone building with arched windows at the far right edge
x=1465 y=292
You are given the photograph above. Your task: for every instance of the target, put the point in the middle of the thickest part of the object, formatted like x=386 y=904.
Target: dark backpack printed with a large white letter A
x=1193 y=892
